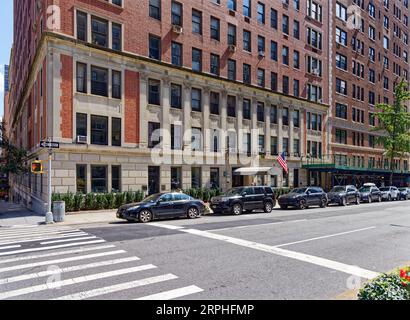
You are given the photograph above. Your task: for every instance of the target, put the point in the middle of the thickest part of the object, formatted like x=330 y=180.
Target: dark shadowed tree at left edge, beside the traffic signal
x=13 y=159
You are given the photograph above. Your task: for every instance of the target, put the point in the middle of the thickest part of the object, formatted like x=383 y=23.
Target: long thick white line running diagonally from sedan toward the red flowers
x=330 y=264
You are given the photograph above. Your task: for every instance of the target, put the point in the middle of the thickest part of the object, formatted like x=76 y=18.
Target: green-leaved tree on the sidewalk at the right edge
x=394 y=126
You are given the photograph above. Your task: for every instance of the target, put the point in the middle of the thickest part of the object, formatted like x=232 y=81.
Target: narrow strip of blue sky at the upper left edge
x=6 y=40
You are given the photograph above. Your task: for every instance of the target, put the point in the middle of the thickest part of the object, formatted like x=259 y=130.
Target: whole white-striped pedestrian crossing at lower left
x=64 y=263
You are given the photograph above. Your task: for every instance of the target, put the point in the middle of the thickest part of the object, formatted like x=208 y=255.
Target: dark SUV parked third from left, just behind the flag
x=303 y=198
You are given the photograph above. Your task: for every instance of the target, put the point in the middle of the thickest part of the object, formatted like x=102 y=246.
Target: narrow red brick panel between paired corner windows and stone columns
x=132 y=107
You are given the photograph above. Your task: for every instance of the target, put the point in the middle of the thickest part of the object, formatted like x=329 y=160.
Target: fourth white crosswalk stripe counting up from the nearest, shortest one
x=65 y=270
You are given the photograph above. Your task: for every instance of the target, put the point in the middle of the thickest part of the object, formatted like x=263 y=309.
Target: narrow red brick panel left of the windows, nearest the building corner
x=66 y=99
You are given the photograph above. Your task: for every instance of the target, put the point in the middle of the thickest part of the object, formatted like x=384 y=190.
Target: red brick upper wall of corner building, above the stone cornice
x=136 y=37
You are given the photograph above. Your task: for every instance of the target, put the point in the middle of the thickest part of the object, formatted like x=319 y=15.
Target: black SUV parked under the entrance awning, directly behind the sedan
x=243 y=199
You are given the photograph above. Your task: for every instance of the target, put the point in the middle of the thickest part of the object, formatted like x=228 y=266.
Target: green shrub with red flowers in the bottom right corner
x=385 y=287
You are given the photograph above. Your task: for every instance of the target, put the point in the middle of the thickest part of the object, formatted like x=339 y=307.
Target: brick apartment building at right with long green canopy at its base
x=367 y=61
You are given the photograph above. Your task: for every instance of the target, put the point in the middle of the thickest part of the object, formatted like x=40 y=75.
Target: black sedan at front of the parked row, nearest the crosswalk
x=162 y=205
